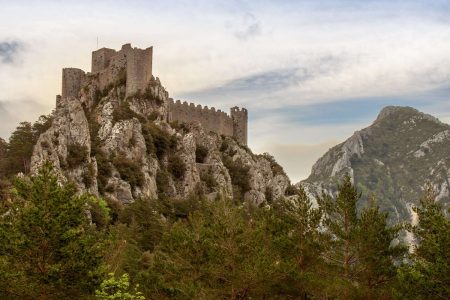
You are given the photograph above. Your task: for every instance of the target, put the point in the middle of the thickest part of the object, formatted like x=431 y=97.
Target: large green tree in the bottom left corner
x=49 y=248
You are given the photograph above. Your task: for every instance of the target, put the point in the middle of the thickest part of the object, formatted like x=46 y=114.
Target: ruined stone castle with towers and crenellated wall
x=108 y=64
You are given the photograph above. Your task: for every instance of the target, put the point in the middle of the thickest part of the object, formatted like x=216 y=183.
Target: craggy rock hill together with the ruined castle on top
x=116 y=132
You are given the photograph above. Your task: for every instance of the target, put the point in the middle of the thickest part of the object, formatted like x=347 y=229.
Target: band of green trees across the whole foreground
x=56 y=244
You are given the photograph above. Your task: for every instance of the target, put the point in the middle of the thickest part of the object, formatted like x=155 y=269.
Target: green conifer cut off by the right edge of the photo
x=427 y=276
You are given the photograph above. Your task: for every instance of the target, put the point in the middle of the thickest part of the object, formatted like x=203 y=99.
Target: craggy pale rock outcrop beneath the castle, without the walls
x=123 y=148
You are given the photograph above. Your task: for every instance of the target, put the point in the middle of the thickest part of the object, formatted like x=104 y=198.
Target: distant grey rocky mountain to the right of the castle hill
x=392 y=160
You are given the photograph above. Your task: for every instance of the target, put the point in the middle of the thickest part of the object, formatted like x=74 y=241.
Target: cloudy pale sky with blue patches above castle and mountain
x=310 y=72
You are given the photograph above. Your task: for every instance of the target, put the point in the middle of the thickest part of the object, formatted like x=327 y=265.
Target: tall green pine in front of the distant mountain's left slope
x=361 y=254
